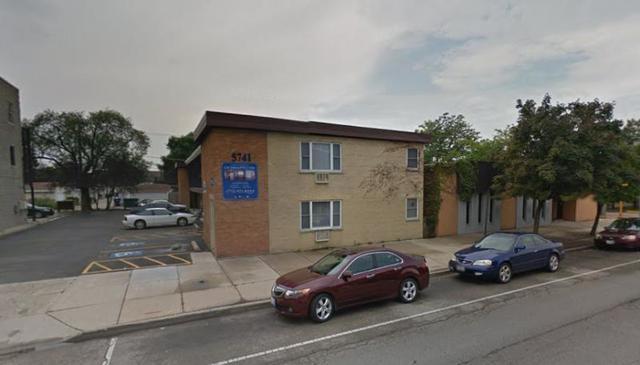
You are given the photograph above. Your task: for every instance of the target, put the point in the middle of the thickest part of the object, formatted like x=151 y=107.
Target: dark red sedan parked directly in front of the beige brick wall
x=348 y=277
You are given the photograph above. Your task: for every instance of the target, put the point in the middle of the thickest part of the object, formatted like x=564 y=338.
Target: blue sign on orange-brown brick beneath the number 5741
x=239 y=181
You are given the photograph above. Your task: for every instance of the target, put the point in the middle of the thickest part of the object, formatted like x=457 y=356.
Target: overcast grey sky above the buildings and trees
x=389 y=64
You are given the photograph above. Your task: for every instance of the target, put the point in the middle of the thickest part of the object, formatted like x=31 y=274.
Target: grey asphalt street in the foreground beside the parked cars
x=588 y=312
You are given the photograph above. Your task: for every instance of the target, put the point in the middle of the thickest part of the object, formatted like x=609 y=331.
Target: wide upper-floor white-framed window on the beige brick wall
x=315 y=156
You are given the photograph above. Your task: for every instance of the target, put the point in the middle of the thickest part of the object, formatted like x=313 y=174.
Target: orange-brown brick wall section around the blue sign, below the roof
x=242 y=226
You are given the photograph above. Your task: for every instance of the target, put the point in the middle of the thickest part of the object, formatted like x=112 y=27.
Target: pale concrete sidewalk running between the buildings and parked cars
x=58 y=309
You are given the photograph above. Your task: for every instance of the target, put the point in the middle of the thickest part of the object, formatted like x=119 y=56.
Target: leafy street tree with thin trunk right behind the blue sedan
x=544 y=156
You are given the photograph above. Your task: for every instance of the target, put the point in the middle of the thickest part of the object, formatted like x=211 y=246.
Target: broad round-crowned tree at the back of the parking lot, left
x=79 y=145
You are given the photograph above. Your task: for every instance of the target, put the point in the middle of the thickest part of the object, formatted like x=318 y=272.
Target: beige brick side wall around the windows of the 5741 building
x=374 y=216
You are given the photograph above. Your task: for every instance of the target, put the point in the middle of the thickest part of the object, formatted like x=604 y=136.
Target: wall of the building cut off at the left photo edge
x=12 y=212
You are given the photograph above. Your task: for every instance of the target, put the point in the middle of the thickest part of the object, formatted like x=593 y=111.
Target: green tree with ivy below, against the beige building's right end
x=452 y=138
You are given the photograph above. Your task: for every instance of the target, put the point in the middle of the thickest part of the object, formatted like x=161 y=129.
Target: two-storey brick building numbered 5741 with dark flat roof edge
x=271 y=185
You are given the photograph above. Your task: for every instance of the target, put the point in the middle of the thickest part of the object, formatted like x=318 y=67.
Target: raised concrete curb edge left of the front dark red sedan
x=169 y=321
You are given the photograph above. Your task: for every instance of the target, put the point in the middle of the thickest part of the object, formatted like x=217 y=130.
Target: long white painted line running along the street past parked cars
x=417 y=315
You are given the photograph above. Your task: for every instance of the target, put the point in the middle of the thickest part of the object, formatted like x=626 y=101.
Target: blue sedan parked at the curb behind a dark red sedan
x=499 y=255
